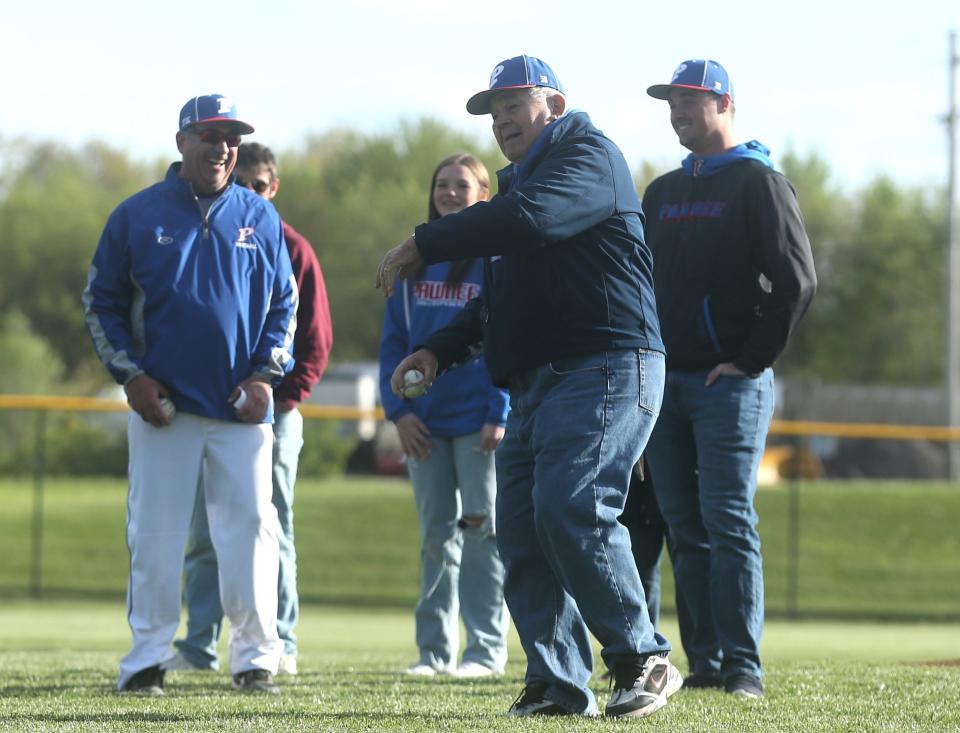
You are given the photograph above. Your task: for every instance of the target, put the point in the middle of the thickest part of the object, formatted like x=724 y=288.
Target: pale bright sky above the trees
x=863 y=84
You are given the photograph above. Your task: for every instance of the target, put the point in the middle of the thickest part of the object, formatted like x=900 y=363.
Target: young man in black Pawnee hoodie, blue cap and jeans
x=733 y=274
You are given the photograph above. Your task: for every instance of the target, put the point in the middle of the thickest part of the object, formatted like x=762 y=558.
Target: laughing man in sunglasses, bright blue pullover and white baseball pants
x=190 y=303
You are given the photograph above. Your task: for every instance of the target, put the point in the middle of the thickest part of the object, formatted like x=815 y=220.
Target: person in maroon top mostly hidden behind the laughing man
x=257 y=170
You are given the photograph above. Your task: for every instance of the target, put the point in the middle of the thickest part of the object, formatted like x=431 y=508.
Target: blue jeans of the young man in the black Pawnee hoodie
x=704 y=454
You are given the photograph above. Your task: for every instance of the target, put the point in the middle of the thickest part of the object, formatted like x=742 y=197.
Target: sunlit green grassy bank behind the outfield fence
x=866 y=549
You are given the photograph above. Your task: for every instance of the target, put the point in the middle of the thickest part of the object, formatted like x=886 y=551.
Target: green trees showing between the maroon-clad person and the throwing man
x=354 y=197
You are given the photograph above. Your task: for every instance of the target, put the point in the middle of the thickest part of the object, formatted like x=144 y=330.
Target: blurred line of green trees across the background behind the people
x=878 y=318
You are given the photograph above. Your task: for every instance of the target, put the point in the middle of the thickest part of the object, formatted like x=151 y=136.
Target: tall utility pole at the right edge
x=953 y=283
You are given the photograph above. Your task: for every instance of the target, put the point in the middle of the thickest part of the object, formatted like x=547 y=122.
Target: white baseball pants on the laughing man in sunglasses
x=165 y=465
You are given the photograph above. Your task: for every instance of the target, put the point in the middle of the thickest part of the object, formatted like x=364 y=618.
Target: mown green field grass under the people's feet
x=59 y=664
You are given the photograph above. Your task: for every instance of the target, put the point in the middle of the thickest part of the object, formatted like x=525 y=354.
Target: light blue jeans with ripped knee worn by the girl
x=460 y=567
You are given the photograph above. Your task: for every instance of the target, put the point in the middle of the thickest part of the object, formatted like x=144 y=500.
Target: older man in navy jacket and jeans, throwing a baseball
x=567 y=321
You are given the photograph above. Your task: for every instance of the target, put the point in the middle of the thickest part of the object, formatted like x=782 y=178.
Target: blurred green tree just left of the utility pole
x=886 y=296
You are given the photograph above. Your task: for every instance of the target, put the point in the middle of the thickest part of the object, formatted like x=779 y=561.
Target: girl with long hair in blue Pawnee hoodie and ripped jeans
x=449 y=436
